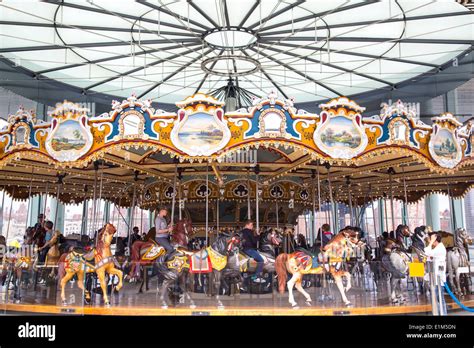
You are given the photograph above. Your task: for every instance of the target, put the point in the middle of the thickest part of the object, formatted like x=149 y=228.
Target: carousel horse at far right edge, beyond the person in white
x=458 y=257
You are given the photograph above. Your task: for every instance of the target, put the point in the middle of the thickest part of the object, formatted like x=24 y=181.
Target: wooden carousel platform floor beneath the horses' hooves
x=366 y=300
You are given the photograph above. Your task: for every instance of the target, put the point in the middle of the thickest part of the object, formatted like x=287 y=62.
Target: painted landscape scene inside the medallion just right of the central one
x=340 y=132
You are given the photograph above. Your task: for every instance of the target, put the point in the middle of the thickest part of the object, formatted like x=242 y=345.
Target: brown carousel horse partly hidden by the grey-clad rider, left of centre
x=146 y=252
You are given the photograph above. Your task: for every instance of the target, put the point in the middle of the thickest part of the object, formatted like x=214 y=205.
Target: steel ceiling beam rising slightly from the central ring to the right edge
x=366 y=23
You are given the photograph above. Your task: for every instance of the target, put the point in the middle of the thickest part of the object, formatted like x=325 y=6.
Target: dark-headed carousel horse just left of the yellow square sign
x=396 y=261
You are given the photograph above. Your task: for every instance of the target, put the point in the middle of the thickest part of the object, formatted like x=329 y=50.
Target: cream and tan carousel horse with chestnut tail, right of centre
x=333 y=256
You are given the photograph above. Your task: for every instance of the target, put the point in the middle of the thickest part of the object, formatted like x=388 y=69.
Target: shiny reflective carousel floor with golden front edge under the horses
x=367 y=297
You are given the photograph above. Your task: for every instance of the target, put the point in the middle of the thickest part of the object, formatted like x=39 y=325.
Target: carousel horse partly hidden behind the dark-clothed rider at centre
x=269 y=240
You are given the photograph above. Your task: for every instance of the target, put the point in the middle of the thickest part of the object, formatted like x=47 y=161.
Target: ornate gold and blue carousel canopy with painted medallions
x=136 y=154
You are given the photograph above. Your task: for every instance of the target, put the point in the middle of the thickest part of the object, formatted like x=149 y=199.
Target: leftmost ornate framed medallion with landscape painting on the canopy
x=69 y=137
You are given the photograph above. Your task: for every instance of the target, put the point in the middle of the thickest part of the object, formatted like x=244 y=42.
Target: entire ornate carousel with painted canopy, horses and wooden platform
x=214 y=171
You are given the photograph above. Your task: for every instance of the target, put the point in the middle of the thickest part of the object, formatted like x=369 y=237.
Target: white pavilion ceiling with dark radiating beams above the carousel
x=167 y=50
